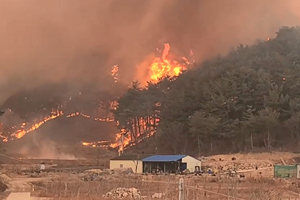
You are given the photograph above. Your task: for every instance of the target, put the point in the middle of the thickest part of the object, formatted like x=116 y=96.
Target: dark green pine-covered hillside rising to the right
x=247 y=100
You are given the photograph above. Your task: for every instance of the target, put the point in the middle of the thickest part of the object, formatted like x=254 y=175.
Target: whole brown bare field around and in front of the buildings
x=82 y=183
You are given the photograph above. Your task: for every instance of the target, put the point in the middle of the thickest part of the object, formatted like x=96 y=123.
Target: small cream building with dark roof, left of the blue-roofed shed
x=128 y=161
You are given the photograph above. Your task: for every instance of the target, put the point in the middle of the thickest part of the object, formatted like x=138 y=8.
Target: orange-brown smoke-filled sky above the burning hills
x=53 y=41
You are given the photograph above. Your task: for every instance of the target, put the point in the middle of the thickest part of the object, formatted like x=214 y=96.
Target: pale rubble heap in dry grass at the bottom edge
x=122 y=193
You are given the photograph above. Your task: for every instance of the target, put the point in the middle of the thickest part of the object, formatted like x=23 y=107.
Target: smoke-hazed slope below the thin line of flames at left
x=60 y=138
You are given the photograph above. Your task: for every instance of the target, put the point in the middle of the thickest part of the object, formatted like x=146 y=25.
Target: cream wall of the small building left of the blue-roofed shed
x=113 y=164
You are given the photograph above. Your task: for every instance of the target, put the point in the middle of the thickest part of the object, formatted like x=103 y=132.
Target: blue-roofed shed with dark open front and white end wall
x=170 y=163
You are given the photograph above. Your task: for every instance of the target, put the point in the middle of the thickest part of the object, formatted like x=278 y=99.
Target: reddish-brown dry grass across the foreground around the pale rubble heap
x=71 y=187
